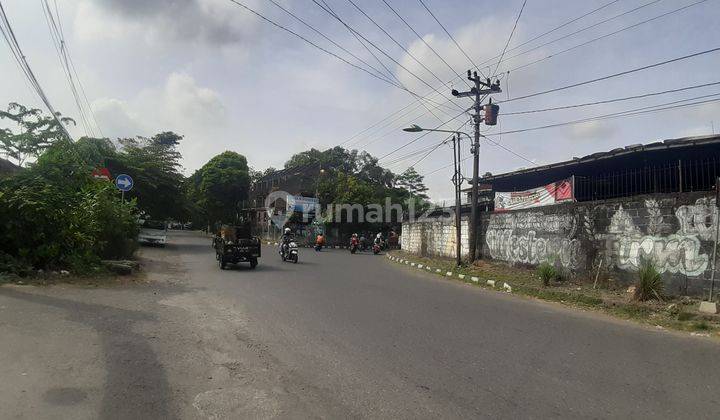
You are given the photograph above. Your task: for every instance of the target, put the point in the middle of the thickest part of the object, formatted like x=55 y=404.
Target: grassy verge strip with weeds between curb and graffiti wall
x=677 y=313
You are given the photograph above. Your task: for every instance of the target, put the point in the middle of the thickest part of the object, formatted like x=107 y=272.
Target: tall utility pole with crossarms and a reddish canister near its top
x=481 y=88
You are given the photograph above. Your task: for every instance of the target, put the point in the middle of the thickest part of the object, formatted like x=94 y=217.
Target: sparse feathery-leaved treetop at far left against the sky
x=35 y=132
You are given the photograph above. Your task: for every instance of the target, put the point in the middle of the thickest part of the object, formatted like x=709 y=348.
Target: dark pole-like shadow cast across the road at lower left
x=136 y=385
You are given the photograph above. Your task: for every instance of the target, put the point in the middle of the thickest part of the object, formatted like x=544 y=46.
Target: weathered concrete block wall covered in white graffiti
x=675 y=231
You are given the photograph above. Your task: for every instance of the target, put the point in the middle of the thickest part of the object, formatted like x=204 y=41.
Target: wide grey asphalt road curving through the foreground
x=334 y=336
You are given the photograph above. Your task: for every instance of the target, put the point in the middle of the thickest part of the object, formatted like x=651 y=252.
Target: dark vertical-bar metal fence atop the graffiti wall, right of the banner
x=680 y=176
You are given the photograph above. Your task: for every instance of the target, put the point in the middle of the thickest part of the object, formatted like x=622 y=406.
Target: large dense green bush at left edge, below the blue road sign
x=55 y=215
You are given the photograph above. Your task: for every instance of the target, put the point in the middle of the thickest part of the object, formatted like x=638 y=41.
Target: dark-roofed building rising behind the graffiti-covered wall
x=674 y=165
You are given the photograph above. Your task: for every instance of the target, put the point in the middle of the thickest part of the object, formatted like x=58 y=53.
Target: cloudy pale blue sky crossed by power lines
x=227 y=80
